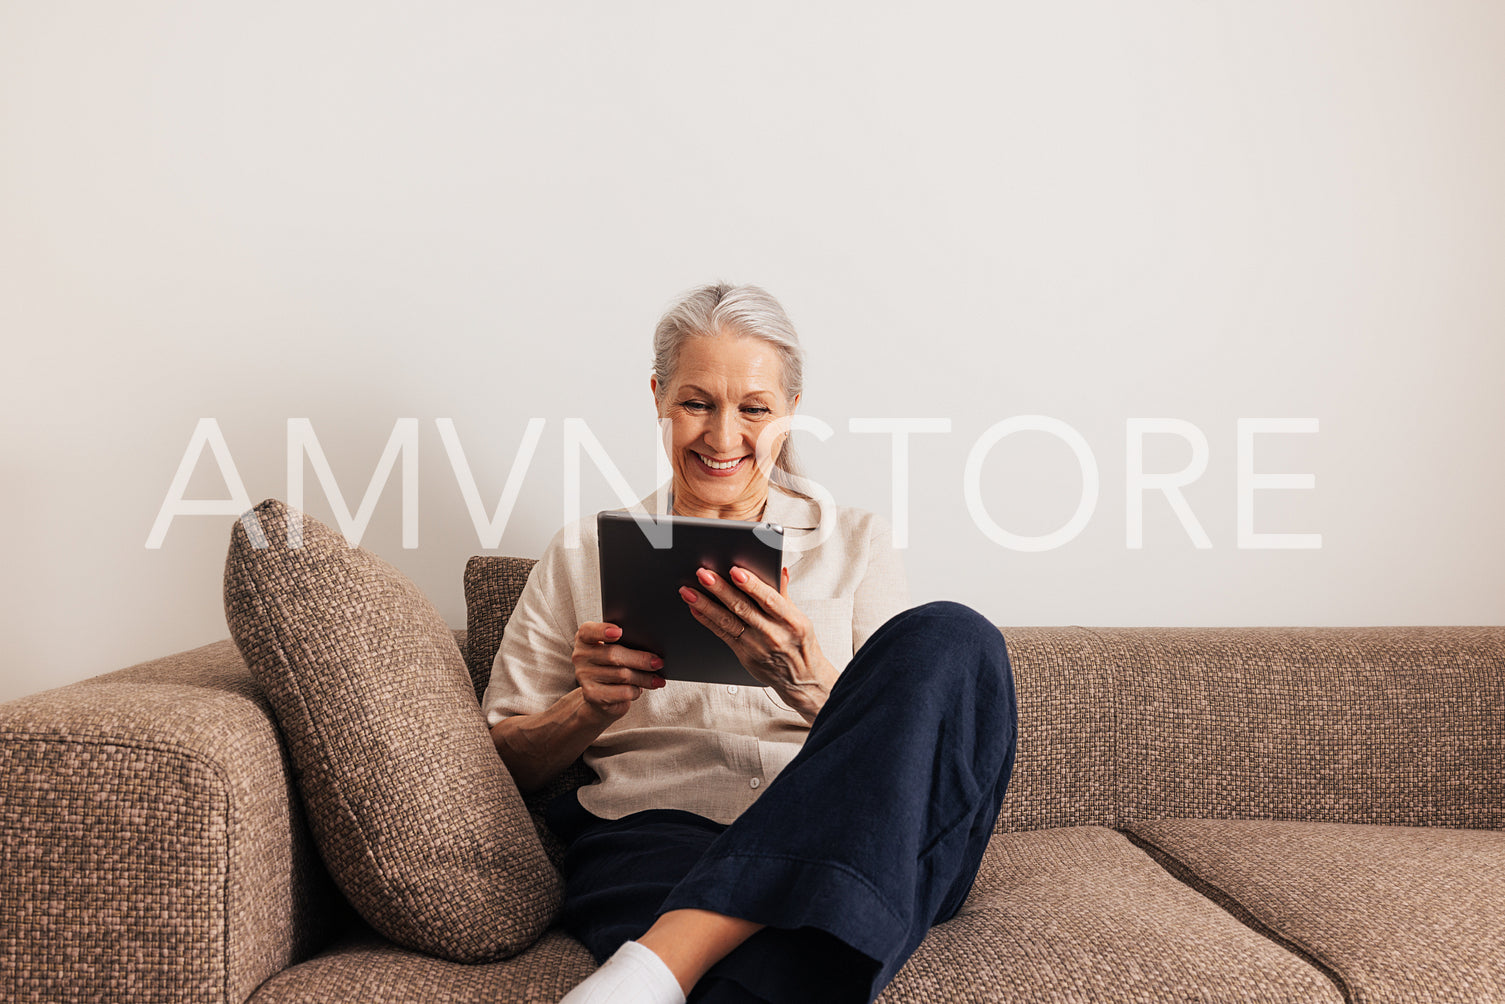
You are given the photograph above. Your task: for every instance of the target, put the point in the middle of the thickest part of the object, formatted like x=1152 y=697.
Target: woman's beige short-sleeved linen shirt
x=699 y=747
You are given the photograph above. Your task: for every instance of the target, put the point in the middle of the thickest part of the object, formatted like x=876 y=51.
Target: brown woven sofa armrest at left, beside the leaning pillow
x=154 y=841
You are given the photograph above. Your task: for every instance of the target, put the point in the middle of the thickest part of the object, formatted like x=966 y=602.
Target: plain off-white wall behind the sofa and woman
x=1095 y=211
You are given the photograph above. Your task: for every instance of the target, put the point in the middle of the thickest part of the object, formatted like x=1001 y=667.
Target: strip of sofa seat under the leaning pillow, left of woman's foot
x=369 y=970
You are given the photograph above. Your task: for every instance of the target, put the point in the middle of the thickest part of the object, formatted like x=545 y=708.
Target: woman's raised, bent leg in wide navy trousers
x=877 y=830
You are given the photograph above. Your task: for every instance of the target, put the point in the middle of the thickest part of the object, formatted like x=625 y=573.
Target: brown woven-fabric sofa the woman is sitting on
x=1197 y=815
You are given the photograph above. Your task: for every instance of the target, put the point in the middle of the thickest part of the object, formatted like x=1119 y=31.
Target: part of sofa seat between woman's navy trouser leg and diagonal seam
x=1083 y=916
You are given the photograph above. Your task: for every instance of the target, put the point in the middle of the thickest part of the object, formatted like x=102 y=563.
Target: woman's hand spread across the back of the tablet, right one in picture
x=768 y=633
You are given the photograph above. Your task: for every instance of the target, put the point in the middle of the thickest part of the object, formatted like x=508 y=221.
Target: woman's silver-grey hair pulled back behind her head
x=750 y=312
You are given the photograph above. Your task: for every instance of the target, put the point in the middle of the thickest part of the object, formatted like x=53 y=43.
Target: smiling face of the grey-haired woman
x=725 y=395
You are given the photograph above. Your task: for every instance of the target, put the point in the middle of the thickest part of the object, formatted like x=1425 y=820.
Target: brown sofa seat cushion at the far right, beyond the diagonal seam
x=1396 y=913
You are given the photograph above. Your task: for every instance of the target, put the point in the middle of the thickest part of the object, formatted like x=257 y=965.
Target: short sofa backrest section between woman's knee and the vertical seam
x=1065 y=765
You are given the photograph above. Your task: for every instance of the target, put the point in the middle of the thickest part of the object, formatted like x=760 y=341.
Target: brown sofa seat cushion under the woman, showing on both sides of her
x=1056 y=916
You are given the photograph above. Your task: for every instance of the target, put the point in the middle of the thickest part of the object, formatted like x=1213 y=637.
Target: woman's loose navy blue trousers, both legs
x=872 y=835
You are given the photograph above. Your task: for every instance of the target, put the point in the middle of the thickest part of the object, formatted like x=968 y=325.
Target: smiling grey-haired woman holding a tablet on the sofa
x=789 y=842
